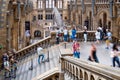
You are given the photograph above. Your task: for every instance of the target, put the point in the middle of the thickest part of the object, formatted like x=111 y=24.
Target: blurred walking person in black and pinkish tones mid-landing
x=93 y=56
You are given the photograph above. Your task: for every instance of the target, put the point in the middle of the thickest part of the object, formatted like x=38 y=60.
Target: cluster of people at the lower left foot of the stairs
x=9 y=64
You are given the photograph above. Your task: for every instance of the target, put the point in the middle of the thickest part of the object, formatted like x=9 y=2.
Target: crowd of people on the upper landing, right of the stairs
x=101 y=35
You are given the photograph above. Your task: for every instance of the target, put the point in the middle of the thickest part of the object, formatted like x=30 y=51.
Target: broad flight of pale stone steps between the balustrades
x=23 y=72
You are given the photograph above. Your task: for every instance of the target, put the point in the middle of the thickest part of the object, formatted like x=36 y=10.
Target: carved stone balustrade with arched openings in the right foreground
x=84 y=70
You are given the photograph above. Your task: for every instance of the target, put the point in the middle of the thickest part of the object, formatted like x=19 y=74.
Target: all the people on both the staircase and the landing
x=9 y=63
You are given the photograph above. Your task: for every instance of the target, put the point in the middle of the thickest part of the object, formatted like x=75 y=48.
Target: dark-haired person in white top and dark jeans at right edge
x=114 y=55
